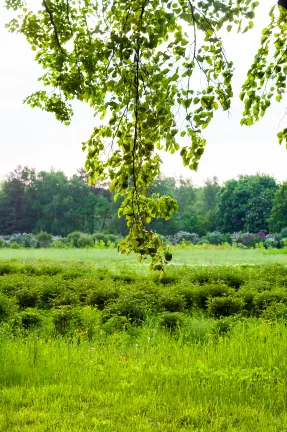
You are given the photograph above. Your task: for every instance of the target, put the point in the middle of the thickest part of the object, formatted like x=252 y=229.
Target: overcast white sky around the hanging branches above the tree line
x=34 y=138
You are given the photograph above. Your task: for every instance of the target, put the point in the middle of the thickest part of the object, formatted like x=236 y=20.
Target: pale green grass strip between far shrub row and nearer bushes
x=110 y=257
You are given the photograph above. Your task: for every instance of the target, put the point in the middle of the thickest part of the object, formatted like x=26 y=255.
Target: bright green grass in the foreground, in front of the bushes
x=151 y=382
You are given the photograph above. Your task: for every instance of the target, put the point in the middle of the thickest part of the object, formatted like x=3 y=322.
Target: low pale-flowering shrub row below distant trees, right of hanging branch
x=242 y=240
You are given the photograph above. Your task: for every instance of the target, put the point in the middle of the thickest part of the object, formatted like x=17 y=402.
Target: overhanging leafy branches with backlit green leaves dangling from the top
x=134 y=62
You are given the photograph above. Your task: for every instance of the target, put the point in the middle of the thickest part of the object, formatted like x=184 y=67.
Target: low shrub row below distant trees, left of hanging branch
x=73 y=240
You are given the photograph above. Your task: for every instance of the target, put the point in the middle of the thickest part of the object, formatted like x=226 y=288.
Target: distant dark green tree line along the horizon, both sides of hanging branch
x=56 y=204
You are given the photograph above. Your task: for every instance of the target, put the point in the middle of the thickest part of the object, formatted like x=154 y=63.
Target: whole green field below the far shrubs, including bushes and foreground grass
x=90 y=342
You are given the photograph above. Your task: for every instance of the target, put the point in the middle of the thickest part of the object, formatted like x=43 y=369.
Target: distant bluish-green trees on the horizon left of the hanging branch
x=50 y=202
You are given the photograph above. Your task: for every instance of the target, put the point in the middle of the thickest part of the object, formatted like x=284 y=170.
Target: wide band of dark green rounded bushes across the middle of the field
x=64 y=292
